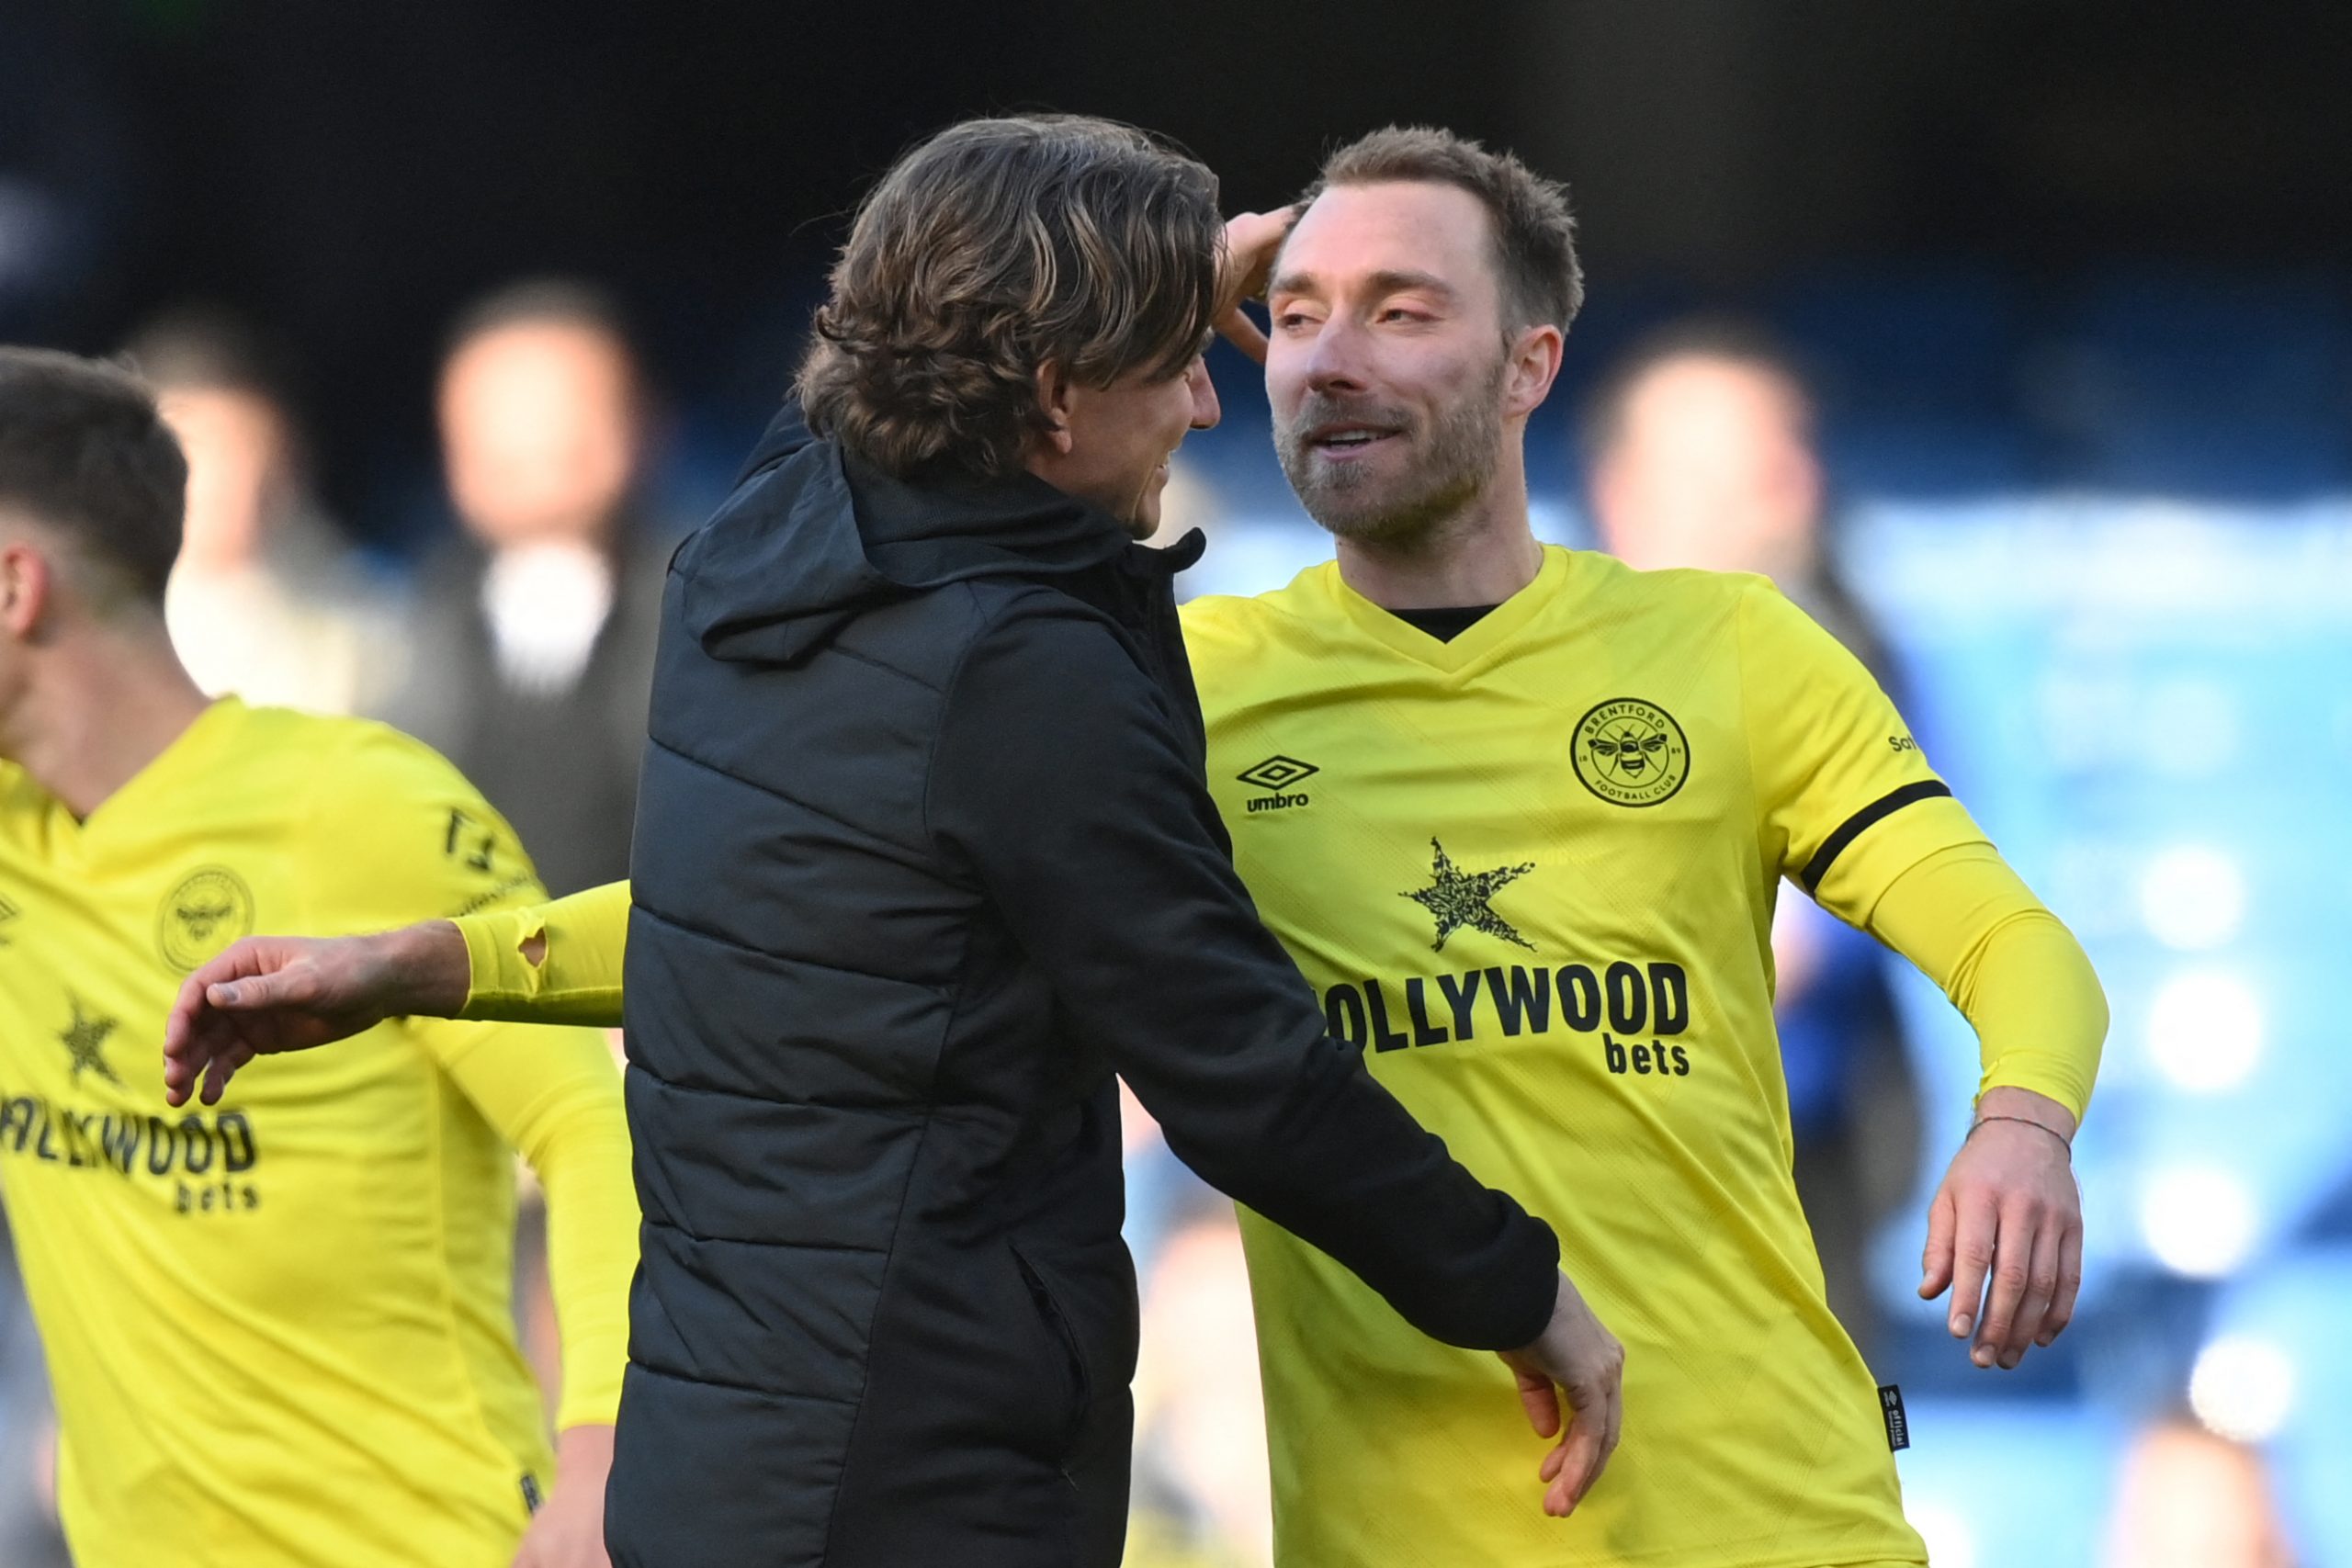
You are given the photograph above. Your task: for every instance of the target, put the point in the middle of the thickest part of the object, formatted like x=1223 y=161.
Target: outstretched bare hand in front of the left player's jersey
x=290 y=993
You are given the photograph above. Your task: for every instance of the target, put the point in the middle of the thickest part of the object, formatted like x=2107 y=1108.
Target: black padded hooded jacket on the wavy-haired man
x=926 y=857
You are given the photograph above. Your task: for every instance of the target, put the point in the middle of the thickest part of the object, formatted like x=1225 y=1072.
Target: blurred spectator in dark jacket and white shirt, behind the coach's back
x=535 y=631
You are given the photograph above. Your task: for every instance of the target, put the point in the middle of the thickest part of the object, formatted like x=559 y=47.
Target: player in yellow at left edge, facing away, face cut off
x=279 y=1332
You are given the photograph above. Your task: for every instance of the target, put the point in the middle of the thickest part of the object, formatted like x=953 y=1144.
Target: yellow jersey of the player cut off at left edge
x=281 y=1327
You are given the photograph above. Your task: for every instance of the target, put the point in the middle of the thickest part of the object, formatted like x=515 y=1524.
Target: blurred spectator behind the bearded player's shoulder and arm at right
x=1699 y=453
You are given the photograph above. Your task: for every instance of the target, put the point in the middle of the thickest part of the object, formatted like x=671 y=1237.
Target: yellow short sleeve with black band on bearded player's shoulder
x=1845 y=798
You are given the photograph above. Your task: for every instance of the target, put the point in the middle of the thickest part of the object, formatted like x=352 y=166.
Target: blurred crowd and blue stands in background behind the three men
x=2099 y=547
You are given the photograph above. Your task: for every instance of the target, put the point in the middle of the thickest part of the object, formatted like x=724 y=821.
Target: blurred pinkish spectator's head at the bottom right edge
x=2191 y=1499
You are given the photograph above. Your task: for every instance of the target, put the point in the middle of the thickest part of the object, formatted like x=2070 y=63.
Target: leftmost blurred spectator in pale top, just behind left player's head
x=265 y=601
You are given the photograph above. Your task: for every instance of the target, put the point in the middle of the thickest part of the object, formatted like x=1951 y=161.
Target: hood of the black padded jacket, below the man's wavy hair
x=813 y=537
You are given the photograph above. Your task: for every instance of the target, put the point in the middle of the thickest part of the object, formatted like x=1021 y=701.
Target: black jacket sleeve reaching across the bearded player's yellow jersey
x=1064 y=786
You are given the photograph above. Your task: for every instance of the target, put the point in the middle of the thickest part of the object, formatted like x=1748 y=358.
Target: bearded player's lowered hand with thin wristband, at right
x=2005 y=1231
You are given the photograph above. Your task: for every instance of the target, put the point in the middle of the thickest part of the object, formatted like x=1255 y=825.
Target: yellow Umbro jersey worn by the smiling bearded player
x=1532 y=873
